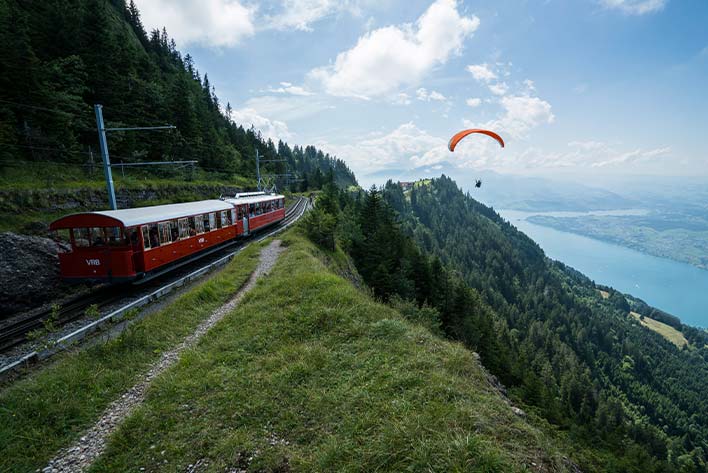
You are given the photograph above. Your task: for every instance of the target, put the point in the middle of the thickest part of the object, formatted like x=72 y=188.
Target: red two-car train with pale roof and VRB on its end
x=129 y=244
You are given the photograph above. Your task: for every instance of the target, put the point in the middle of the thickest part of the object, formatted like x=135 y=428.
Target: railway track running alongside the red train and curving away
x=17 y=333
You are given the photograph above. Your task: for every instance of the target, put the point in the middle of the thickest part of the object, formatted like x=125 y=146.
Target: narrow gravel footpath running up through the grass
x=82 y=453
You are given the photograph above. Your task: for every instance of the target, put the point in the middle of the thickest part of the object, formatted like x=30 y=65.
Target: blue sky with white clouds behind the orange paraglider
x=576 y=87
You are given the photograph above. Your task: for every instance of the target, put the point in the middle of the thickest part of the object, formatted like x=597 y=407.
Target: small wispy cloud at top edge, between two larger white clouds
x=301 y=14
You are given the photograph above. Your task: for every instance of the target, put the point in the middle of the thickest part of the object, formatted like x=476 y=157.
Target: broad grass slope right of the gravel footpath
x=311 y=374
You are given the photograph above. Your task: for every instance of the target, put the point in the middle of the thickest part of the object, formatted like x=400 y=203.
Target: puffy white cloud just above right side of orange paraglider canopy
x=521 y=114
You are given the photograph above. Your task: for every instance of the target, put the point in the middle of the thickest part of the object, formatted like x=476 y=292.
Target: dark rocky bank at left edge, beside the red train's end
x=29 y=272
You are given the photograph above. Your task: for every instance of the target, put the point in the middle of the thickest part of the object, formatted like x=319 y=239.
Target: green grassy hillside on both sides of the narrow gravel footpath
x=309 y=373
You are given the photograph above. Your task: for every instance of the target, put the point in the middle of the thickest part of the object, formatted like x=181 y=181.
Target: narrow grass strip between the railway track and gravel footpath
x=51 y=408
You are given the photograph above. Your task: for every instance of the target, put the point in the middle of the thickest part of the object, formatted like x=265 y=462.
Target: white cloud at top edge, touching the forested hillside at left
x=217 y=23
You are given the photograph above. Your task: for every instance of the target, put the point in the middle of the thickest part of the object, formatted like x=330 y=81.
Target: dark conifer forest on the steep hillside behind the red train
x=59 y=58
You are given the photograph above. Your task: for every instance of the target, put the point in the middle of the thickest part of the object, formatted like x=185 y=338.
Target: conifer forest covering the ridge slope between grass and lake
x=626 y=397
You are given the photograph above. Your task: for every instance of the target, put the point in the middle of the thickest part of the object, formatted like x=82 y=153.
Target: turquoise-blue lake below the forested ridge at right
x=677 y=288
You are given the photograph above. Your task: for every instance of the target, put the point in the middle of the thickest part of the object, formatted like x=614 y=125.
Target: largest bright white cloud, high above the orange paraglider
x=389 y=57
